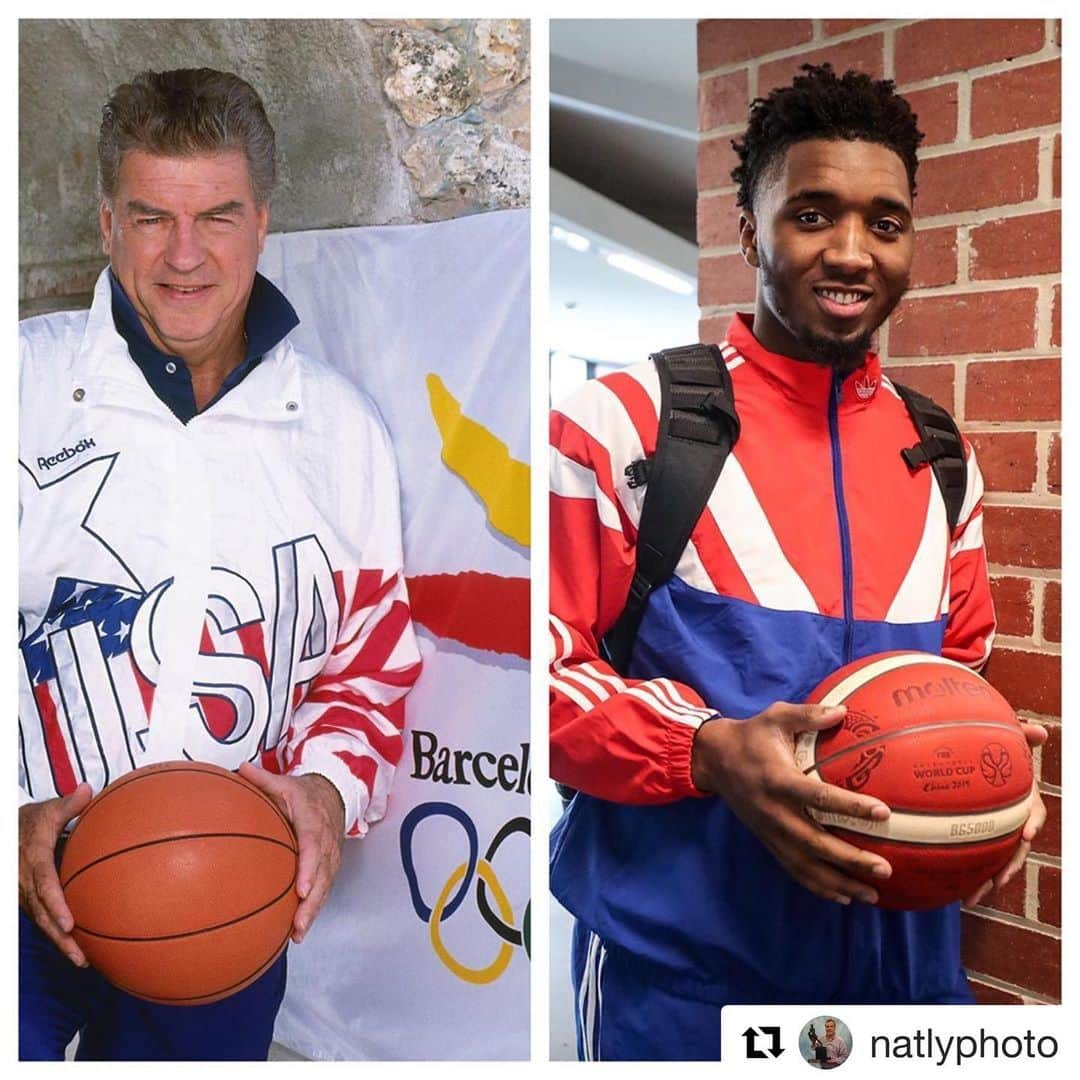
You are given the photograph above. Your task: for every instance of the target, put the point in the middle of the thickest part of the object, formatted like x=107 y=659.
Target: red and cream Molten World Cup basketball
x=944 y=751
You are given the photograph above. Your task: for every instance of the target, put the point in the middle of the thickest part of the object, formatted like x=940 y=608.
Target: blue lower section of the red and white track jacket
x=687 y=889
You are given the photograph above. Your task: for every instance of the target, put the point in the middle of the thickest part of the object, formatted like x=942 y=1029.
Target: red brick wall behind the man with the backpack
x=980 y=332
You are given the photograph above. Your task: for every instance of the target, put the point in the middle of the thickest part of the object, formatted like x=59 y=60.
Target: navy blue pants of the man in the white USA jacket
x=58 y=1001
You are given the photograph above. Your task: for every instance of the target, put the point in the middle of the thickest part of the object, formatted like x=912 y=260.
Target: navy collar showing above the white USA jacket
x=268 y=320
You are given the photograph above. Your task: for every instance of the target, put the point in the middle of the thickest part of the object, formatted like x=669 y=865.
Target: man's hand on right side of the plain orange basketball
x=314 y=806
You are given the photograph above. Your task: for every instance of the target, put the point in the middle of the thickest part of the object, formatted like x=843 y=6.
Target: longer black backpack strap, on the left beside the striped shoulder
x=698 y=428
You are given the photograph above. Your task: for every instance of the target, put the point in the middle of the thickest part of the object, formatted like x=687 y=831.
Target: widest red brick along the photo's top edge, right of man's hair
x=936 y=46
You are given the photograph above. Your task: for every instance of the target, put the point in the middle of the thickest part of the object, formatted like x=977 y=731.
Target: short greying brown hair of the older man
x=183 y=113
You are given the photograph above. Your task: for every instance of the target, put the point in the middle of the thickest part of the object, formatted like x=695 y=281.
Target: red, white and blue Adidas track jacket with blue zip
x=819 y=546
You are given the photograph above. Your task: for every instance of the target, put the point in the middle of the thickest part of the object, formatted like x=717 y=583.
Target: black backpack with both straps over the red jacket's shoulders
x=699 y=426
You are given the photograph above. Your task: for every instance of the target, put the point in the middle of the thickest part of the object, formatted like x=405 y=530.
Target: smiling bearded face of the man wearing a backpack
x=832 y=238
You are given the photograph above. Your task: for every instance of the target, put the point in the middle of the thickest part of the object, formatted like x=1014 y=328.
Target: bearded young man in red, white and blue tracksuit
x=688 y=859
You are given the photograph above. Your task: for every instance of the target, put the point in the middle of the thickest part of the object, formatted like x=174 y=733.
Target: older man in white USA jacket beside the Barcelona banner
x=212 y=561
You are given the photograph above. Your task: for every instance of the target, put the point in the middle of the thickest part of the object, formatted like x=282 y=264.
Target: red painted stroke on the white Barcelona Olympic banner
x=481 y=611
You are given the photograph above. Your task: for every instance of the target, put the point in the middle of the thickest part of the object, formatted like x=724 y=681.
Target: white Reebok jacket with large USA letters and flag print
x=228 y=590
